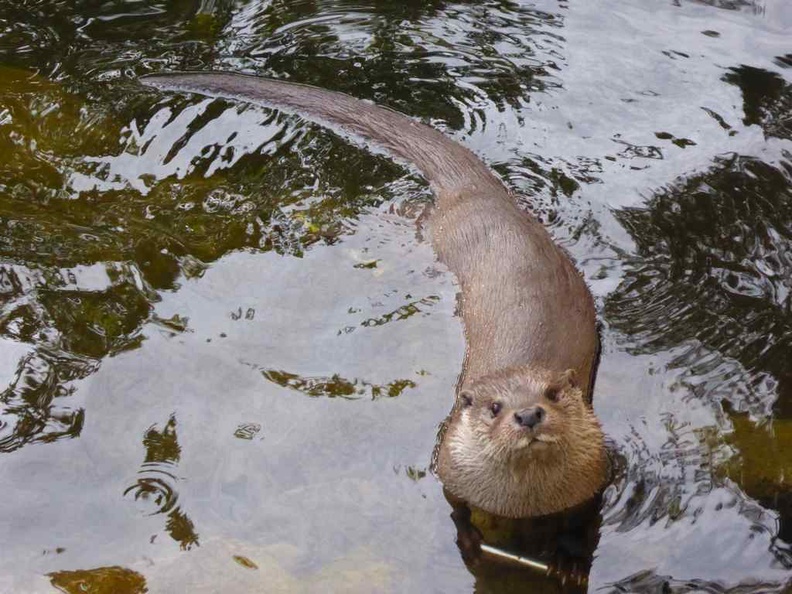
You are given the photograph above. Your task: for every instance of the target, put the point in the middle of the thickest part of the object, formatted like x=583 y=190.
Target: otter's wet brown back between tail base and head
x=523 y=302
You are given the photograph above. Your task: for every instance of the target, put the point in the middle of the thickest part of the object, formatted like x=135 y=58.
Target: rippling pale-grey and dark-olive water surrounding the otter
x=225 y=352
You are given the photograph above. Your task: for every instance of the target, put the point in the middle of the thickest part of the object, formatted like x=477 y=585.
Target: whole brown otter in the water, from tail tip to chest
x=521 y=439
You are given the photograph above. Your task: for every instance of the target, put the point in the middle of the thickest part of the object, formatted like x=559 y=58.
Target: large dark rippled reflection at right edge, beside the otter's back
x=713 y=269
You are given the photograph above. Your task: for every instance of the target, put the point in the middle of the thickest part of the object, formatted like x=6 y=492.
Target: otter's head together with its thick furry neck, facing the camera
x=522 y=442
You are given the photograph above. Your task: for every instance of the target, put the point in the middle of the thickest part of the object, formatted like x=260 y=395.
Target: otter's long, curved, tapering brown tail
x=451 y=169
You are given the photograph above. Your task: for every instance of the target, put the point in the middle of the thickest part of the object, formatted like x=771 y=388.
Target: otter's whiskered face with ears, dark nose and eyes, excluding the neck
x=519 y=414
